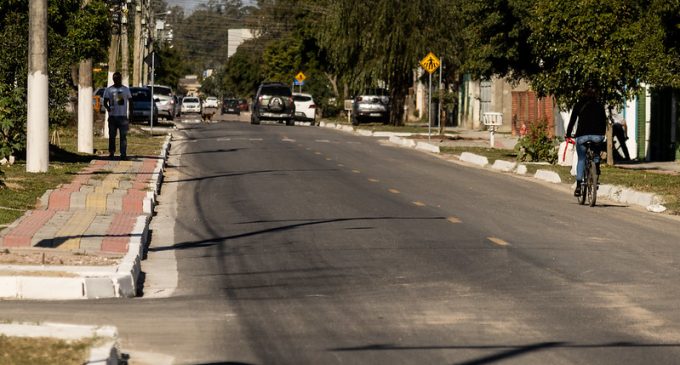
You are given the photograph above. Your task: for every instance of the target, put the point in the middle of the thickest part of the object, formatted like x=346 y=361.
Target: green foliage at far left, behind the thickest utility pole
x=74 y=33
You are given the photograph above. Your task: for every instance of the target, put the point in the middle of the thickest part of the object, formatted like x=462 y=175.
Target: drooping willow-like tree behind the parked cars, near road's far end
x=381 y=42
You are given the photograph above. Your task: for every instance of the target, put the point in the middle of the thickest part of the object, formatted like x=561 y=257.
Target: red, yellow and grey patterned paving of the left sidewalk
x=95 y=213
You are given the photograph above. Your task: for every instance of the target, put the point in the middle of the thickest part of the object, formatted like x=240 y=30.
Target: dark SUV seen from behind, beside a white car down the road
x=273 y=101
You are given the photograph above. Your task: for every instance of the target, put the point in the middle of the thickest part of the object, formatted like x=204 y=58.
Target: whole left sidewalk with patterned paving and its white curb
x=104 y=212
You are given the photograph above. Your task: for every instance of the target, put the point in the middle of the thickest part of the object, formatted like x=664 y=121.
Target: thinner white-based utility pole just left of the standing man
x=85 y=114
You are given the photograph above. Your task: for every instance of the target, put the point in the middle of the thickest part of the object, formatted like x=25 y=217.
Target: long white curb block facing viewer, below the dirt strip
x=51 y=287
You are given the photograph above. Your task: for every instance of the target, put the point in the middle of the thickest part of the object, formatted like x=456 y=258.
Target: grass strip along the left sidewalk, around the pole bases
x=21 y=190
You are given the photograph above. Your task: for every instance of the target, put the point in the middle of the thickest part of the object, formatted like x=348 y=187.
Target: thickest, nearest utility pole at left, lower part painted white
x=37 y=123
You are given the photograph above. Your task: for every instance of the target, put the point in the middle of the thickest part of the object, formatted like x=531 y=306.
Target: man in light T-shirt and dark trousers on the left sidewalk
x=118 y=102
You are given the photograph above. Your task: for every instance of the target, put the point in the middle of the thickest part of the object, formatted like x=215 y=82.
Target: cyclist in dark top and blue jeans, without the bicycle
x=591 y=126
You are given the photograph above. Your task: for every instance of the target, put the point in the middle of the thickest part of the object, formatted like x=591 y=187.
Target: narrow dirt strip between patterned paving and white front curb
x=48 y=258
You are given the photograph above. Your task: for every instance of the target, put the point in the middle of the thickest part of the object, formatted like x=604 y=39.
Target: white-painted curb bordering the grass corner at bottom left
x=105 y=353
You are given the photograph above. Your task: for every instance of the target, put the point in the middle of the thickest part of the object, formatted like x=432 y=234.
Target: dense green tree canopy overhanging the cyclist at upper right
x=563 y=47
